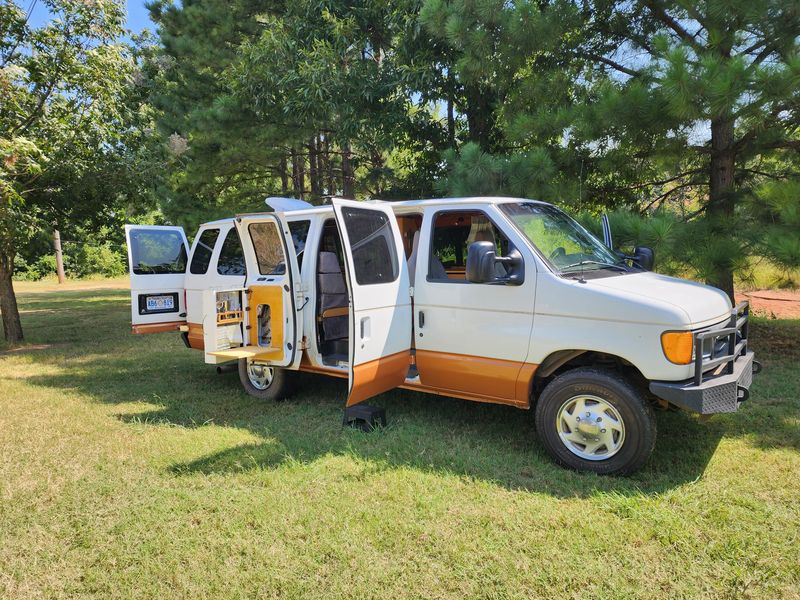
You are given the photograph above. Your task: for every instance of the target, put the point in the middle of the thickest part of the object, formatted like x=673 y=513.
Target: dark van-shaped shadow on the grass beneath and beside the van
x=425 y=432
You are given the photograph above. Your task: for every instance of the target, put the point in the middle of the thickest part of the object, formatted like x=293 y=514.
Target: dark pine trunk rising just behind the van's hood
x=722 y=197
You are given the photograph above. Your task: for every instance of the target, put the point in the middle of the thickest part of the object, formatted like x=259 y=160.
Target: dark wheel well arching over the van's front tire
x=566 y=360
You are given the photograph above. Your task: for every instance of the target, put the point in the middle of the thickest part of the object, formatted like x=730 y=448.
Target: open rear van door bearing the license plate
x=157 y=258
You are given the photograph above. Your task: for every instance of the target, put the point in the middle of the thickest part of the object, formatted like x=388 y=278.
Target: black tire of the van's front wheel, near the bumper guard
x=638 y=436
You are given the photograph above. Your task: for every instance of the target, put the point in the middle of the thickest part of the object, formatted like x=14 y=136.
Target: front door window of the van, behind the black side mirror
x=453 y=232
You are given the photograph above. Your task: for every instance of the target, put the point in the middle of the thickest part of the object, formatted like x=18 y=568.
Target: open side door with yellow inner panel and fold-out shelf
x=273 y=293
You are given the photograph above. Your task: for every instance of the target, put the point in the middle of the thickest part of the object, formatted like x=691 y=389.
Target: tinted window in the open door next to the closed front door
x=372 y=244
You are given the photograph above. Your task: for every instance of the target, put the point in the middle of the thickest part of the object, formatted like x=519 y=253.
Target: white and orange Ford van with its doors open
x=488 y=299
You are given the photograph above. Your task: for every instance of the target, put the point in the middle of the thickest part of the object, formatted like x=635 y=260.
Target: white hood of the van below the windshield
x=703 y=305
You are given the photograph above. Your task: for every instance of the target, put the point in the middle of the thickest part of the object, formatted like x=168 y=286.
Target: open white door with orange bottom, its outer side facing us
x=380 y=302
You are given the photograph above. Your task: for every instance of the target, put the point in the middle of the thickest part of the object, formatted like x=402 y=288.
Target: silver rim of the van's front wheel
x=590 y=427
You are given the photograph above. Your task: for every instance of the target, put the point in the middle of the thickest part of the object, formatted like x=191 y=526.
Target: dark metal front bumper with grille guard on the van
x=722 y=380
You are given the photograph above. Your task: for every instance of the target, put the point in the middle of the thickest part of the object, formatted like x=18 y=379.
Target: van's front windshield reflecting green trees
x=567 y=245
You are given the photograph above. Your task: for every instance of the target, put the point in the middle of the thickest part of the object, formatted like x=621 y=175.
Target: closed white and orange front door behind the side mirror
x=472 y=338
